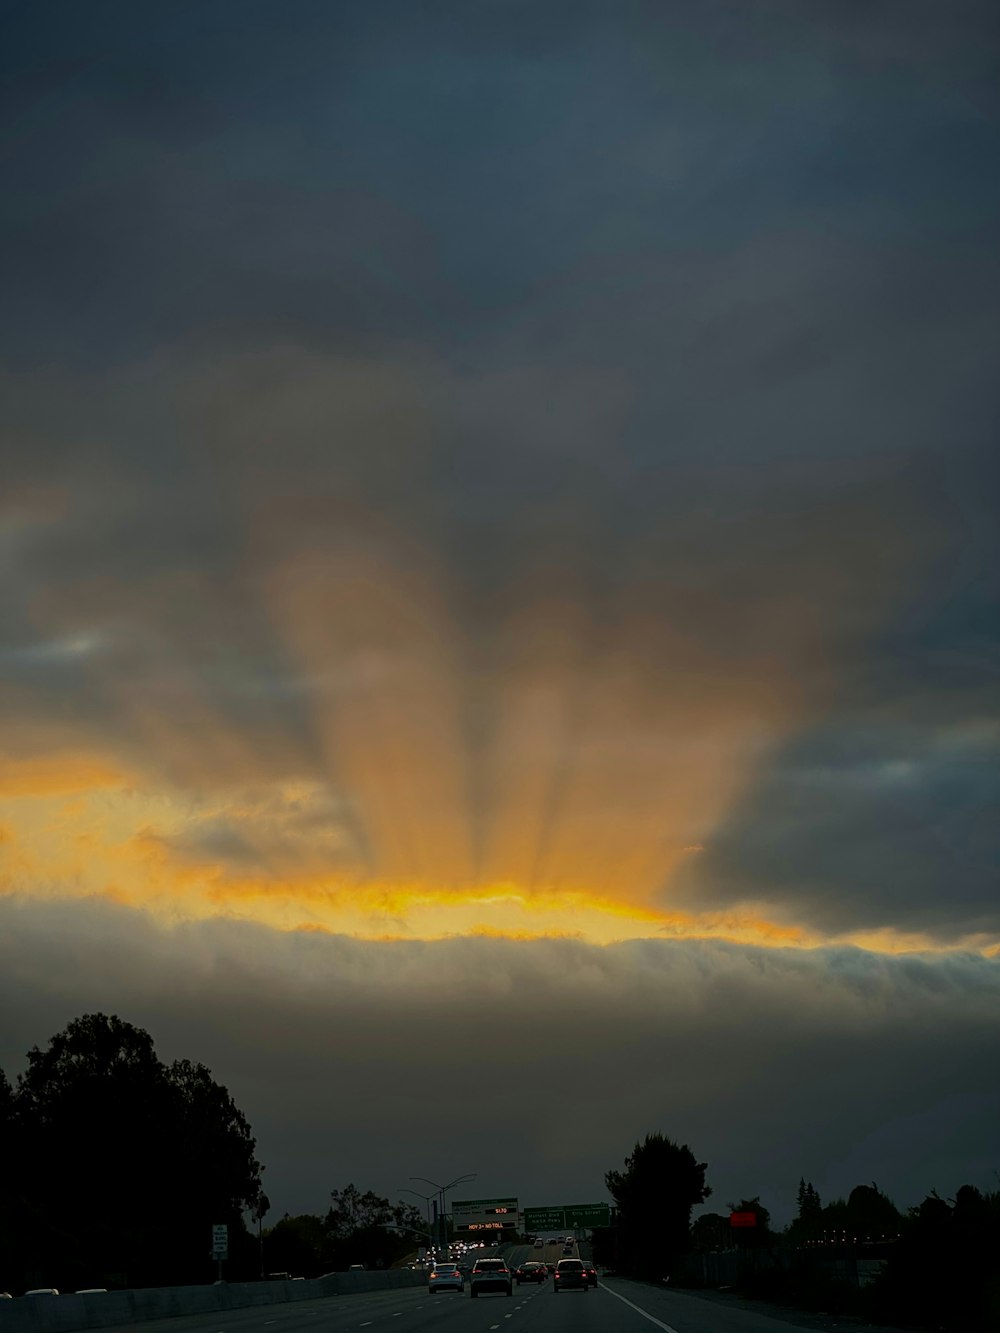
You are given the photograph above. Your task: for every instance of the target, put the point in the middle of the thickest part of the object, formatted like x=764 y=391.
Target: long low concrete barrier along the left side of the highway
x=107 y=1310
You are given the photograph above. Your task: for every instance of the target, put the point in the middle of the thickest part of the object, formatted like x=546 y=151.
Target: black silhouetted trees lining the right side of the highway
x=941 y=1262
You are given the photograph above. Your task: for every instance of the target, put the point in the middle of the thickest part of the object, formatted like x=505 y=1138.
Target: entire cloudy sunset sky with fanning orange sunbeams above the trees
x=499 y=569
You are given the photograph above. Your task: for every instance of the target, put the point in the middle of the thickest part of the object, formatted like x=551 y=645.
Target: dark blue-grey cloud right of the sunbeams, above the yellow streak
x=822 y=835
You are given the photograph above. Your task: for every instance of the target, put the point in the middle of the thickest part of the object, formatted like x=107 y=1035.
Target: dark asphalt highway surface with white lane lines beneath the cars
x=618 y=1306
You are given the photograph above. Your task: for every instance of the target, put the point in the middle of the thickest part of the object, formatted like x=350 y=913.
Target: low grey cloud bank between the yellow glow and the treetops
x=874 y=1068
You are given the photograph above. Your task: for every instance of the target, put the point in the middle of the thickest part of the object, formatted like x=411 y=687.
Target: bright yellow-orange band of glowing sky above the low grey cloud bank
x=130 y=847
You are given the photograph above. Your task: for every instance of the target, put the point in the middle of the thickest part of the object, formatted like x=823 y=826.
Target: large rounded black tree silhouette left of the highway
x=118 y=1166
